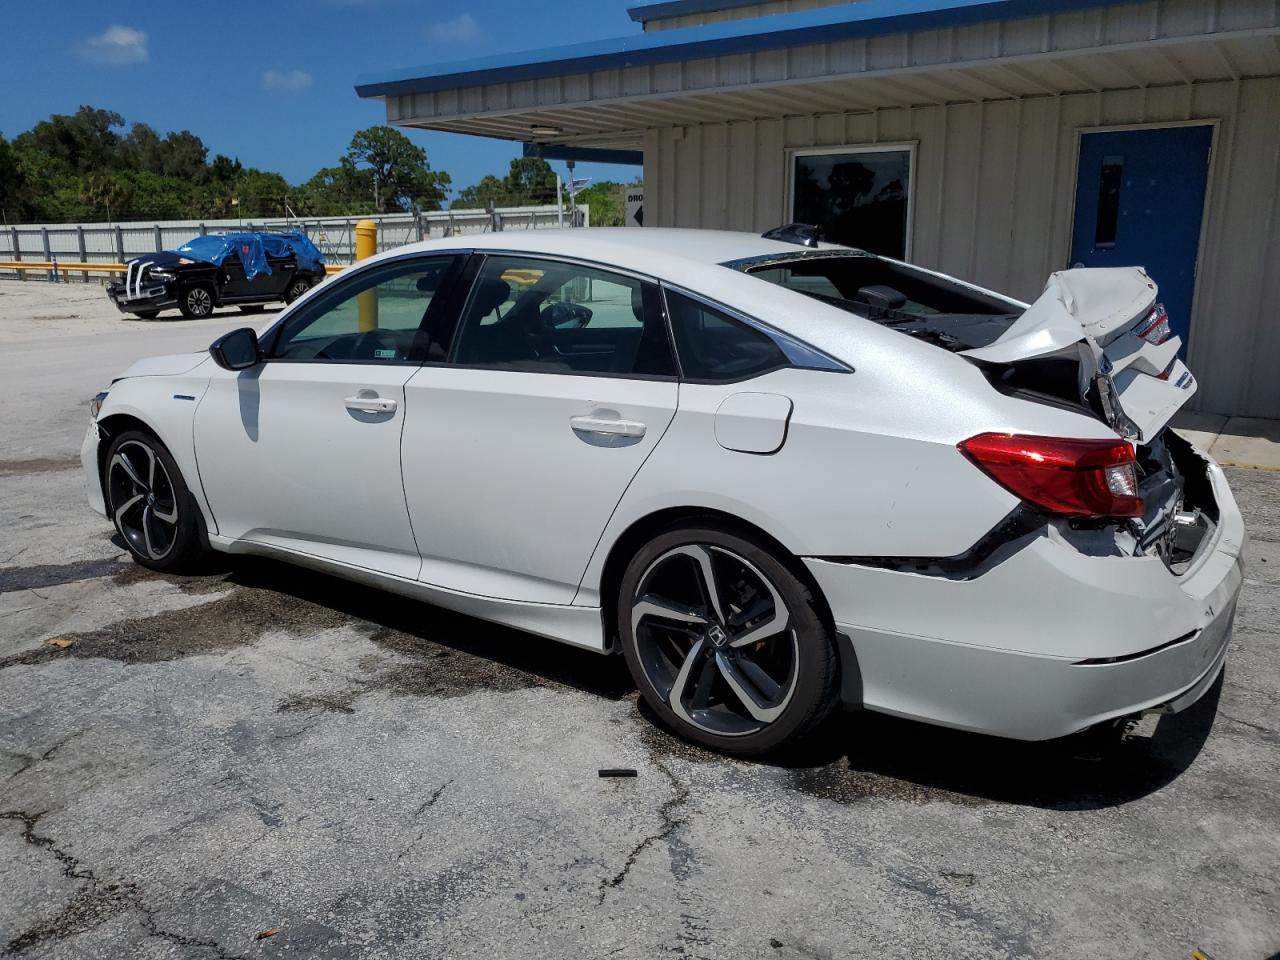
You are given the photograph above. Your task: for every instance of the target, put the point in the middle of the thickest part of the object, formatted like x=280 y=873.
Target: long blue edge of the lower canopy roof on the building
x=870 y=19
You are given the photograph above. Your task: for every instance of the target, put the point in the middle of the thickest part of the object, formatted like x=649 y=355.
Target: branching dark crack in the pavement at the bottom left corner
x=94 y=904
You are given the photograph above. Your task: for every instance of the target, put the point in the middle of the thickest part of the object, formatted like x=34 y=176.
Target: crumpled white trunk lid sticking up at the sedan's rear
x=1108 y=317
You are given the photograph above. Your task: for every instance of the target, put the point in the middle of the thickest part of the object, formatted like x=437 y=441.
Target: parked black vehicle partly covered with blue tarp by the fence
x=220 y=269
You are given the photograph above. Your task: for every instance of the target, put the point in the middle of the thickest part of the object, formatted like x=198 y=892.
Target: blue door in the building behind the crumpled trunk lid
x=1140 y=200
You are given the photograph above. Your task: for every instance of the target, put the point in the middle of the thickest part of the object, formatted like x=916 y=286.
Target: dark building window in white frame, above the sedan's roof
x=858 y=198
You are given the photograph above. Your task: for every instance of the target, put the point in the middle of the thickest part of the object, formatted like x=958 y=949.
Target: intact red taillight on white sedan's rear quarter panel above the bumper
x=1062 y=476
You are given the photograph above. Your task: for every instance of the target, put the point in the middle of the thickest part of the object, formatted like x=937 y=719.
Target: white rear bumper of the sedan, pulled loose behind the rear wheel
x=1050 y=641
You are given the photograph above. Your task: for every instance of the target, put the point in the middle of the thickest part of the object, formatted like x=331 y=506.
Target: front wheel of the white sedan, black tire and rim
x=150 y=504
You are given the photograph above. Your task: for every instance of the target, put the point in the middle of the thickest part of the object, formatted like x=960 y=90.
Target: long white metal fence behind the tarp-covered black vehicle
x=335 y=236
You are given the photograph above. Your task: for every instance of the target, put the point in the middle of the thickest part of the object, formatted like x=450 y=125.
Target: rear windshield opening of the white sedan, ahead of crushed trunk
x=915 y=301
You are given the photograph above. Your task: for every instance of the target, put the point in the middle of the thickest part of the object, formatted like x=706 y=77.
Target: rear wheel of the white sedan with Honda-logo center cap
x=693 y=666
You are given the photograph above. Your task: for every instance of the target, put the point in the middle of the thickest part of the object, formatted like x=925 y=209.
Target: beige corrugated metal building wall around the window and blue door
x=994 y=196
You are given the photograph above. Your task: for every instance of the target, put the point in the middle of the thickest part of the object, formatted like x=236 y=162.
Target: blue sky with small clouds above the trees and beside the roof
x=275 y=86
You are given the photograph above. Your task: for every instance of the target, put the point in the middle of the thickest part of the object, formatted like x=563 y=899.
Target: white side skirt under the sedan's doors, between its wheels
x=579 y=627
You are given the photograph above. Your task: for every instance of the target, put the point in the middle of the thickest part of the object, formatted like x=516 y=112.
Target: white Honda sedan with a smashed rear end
x=776 y=476
